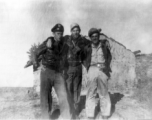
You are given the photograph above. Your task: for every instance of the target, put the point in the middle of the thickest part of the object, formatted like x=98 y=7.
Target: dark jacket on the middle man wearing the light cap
x=74 y=50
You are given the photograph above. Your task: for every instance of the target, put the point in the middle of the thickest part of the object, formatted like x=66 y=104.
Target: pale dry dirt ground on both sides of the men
x=19 y=103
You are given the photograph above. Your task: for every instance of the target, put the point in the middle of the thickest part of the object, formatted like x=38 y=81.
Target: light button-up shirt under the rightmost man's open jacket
x=97 y=56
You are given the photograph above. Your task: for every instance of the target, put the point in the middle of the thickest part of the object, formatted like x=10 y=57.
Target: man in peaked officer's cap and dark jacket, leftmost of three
x=51 y=74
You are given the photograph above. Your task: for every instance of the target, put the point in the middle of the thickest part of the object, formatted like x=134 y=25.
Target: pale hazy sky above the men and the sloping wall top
x=24 y=22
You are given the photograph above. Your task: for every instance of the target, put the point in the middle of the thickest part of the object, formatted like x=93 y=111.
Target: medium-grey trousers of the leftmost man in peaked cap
x=51 y=78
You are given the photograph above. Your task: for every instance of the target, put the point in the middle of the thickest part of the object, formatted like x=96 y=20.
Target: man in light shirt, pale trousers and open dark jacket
x=98 y=60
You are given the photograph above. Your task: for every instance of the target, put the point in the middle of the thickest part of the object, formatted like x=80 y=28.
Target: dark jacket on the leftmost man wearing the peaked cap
x=51 y=57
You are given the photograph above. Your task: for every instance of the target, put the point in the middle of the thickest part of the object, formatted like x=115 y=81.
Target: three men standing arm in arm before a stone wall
x=68 y=54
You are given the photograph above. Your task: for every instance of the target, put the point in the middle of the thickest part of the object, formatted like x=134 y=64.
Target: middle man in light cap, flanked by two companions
x=74 y=55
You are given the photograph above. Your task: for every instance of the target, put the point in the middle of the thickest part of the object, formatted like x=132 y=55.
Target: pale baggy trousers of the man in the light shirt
x=97 y=84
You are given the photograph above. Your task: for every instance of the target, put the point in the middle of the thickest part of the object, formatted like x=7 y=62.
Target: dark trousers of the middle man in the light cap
x=74 y=81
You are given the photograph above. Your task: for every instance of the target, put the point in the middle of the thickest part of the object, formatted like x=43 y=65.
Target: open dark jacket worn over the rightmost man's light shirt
x=107 y=56
